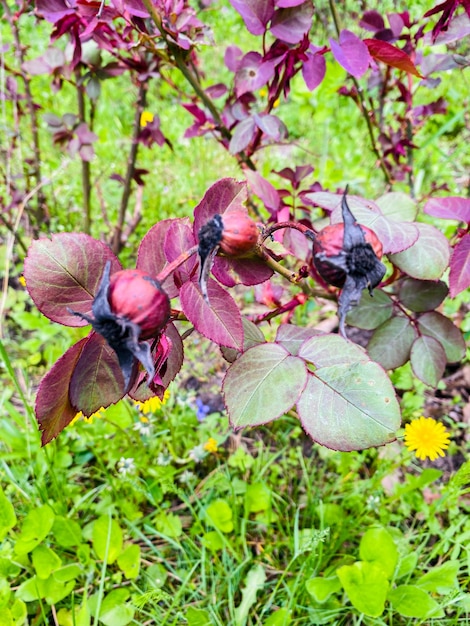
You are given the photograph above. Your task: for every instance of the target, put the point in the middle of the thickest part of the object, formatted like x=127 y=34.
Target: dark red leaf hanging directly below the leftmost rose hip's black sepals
x=97 y=379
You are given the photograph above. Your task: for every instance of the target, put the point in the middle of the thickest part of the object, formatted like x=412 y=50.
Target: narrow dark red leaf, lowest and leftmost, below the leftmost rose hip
x=54 y=410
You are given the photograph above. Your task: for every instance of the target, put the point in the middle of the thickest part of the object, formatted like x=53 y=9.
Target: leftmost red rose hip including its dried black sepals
x=129 y=307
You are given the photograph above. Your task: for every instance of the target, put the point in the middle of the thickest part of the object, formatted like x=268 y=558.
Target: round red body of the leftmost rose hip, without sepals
x=137 y=297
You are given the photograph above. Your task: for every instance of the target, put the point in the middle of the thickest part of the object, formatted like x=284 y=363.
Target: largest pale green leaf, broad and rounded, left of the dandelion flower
x=350 y=407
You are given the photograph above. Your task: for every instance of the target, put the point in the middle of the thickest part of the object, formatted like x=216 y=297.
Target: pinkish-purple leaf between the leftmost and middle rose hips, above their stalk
x=158 y=247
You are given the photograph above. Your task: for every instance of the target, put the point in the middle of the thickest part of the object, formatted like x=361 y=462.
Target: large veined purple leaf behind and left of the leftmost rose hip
x=64 y=272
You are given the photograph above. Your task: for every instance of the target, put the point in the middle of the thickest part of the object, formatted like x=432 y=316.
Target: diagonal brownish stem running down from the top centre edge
x=193 y=80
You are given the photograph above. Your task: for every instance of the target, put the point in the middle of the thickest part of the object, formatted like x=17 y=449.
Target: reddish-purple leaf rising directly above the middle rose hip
x=226 y=194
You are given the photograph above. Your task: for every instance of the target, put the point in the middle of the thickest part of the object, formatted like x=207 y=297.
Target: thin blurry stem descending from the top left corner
x=41 y=201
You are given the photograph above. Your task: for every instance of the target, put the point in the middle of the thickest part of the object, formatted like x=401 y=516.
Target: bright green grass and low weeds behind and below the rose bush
x=238 y=536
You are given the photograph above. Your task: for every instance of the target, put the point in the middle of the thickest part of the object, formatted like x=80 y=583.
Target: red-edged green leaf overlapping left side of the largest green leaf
x=263 y=384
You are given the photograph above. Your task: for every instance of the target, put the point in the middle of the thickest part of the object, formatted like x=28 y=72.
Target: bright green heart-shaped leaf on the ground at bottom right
x=366 y=585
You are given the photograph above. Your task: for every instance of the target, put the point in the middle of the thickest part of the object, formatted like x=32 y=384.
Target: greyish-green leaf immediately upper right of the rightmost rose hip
x=427 y=258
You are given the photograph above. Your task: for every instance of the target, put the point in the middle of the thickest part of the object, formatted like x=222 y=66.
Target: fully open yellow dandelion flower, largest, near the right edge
x=428 y=437
